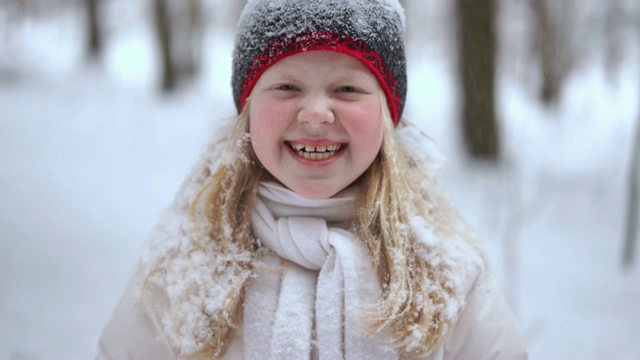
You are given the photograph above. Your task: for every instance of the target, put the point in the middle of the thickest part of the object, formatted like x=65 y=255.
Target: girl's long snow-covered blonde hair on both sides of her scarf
x=414 y=236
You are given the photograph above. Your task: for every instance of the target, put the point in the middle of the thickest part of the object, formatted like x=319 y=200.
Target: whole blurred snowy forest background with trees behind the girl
x=528 y=110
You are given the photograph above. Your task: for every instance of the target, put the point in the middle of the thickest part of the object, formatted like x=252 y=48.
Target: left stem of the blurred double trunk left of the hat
x=164 y=33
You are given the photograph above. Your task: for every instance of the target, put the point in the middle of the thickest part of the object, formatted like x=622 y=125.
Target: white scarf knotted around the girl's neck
x=285 y=304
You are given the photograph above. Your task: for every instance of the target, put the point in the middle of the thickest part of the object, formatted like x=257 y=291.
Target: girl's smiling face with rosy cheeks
x=316 y=121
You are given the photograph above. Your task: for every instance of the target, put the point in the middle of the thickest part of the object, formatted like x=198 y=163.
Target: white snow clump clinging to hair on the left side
x=195 y=280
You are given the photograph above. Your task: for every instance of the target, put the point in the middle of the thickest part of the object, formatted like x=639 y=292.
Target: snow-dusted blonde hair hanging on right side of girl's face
x=396 y=189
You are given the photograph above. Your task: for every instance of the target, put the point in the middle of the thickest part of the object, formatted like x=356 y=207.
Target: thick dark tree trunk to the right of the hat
x=477 y=47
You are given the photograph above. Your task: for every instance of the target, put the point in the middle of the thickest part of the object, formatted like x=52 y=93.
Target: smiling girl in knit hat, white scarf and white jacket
x=309 y=231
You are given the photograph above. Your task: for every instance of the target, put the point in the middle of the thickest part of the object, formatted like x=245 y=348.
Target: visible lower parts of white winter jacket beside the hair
x=485 y=328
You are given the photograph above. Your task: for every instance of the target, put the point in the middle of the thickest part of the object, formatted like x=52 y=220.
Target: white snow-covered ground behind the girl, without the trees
x=89 y=157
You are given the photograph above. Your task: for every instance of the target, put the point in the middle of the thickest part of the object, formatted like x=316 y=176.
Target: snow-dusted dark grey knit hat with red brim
x=372 y=31
